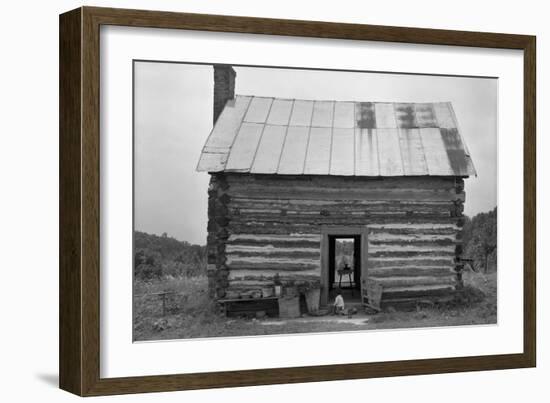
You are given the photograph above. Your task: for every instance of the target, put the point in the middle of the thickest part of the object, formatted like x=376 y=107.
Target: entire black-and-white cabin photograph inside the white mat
x=271 y=200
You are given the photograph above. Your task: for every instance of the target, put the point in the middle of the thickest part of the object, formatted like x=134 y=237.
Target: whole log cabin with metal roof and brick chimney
x=289 y=177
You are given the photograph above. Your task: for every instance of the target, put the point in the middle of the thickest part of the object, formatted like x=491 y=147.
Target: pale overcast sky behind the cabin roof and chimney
x=173 y=117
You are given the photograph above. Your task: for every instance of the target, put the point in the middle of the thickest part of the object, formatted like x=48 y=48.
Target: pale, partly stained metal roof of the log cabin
x=294 y=137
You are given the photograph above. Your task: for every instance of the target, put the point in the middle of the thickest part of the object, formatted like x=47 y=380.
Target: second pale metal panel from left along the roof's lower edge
x=244 y=147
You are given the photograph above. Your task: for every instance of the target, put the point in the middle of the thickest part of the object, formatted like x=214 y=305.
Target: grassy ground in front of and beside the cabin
x=190 y=313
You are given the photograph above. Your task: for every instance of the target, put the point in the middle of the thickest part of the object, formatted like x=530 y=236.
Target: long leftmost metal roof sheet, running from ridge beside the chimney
x=227 y=126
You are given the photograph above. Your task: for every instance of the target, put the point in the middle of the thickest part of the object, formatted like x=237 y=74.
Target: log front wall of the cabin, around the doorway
x=261 y=225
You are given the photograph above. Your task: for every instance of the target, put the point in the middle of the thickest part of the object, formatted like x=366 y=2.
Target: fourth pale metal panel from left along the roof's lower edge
x=294 y=151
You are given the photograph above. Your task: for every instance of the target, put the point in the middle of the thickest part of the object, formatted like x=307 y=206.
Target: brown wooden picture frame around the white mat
x=79 y=280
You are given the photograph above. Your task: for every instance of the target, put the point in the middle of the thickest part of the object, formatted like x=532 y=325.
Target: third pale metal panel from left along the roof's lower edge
x=269 y=150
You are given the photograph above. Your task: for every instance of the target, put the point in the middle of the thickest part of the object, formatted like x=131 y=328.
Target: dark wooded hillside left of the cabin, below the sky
x=157 y=256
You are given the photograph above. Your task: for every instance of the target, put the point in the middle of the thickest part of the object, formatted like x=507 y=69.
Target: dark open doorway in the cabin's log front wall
x=345 y=266
